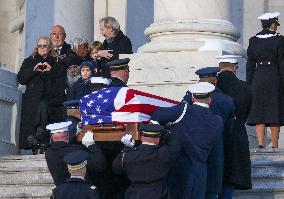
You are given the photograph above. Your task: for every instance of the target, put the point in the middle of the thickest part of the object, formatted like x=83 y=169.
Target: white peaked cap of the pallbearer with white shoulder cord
x=201 y=90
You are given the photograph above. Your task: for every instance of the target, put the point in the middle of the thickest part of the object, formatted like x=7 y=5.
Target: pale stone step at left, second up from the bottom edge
x=25 y=178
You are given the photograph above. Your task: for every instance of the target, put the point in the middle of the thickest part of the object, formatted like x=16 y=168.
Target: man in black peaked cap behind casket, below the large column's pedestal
x=119 y=71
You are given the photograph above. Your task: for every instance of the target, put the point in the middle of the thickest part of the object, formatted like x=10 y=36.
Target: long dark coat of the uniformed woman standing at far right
x=266 y=80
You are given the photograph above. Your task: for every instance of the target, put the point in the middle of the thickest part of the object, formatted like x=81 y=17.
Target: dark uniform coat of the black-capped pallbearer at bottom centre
x=147 y=167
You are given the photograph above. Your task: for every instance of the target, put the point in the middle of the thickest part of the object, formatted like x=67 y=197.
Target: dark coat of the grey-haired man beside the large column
x=121 y=44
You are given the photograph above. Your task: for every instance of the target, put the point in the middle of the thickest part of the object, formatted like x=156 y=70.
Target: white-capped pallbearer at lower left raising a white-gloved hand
x=60 y=146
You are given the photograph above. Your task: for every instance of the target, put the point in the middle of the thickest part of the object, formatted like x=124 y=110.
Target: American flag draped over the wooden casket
x=120 y=105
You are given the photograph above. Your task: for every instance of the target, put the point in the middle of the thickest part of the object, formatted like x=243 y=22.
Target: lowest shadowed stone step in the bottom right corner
x=260 y=193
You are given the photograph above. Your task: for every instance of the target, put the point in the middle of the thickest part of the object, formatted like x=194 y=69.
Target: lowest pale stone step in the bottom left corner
x=28 y=191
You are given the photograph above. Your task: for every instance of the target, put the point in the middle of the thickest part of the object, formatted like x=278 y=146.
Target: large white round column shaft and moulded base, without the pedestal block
x=190 y=25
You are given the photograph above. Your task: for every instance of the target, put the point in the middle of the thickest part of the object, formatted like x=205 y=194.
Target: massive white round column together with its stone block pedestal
x=186 y=35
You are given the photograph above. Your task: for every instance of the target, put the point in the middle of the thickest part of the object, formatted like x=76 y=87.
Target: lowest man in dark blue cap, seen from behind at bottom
x=75 y=187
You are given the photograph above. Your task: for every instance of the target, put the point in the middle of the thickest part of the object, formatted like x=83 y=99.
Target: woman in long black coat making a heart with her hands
x=44 y=75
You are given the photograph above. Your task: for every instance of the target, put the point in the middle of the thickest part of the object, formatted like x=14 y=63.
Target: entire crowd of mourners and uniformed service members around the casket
x=198 y=150
